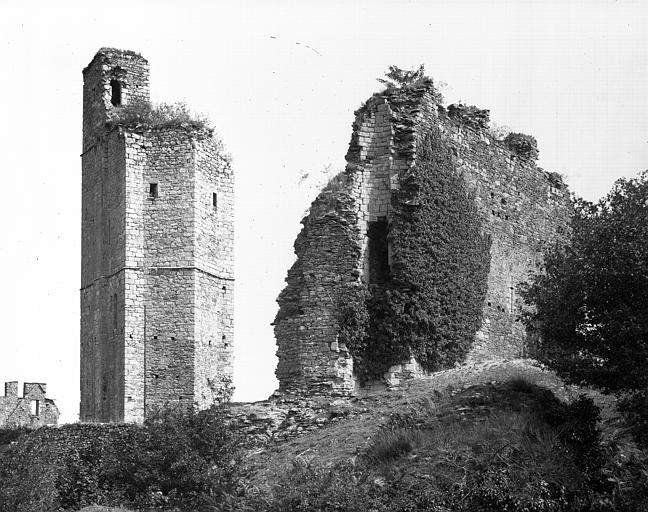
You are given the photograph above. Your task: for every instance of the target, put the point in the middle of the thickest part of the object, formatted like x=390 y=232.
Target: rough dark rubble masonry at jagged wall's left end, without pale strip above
x=306 y=328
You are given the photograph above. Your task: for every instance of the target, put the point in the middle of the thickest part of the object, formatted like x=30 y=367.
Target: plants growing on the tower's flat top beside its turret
x=161 y=115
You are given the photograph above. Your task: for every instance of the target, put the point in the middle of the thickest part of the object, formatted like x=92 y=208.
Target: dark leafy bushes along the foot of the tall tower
x=173 y=460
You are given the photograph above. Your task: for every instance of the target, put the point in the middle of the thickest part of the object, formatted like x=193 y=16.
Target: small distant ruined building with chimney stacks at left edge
x=32 y=409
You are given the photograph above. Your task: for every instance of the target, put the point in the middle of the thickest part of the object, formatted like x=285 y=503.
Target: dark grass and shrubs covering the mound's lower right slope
x=503 y=448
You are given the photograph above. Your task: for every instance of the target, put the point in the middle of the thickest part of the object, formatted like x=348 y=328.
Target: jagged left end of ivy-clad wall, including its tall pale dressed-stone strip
x=332 y=255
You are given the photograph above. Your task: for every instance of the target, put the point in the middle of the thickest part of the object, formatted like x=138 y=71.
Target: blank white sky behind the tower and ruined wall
x=280 y=82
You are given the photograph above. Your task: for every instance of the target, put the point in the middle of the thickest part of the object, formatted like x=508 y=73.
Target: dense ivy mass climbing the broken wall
x=431 y=308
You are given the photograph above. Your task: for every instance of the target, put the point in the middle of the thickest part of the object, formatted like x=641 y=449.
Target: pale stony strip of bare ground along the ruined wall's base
x=328 y=431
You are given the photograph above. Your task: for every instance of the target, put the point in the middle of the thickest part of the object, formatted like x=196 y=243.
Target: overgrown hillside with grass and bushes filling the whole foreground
x=495 y=437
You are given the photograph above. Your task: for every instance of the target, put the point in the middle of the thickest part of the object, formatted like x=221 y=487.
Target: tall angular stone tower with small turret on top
x=157 y=252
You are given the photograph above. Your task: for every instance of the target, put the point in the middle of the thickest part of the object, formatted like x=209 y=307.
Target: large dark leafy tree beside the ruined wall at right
x=590 y=304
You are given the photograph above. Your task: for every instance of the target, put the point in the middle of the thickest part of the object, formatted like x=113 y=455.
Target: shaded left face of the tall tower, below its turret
x=102 y=279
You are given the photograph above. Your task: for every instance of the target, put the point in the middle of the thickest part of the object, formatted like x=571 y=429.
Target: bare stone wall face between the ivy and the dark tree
x=525 y=209
